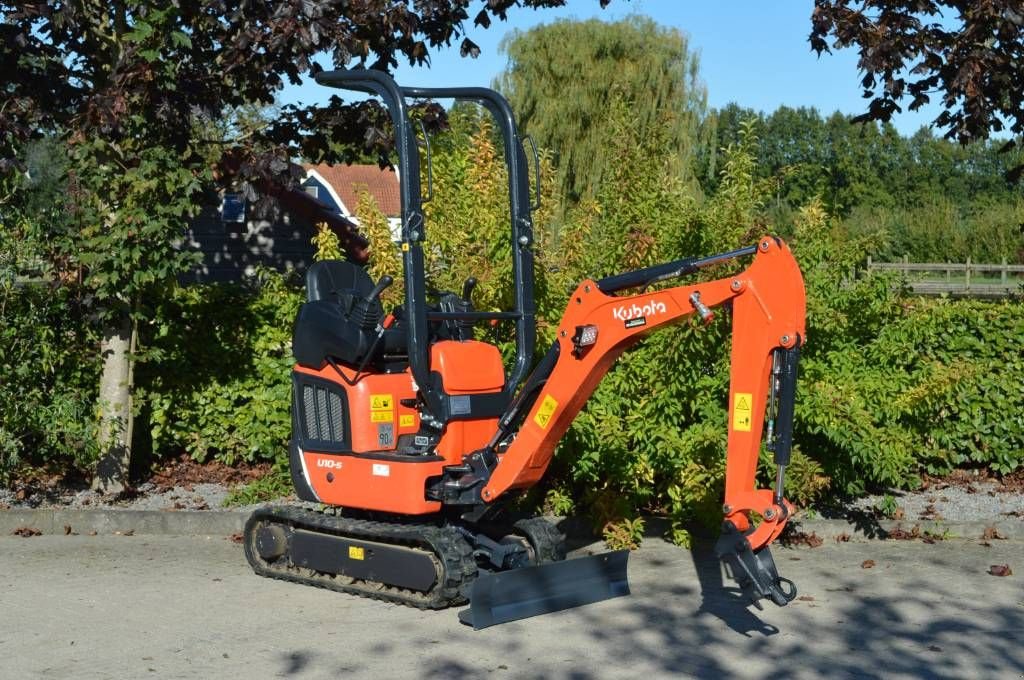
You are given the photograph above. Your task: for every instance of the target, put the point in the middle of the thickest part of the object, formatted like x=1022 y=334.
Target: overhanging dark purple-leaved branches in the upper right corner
x=969 y=52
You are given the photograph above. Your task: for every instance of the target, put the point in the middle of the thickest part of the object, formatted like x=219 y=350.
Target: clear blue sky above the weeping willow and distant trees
x=752 y=53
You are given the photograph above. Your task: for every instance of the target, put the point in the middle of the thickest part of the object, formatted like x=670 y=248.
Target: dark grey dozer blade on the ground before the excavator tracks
x=505 y=597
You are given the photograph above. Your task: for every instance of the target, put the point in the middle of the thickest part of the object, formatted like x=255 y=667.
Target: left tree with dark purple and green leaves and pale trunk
x=131 y=87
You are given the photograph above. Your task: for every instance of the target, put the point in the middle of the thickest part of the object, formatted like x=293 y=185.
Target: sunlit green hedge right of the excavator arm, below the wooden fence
x=892 y=387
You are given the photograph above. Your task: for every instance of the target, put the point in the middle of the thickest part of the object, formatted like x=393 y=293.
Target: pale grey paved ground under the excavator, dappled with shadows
x=161 y=607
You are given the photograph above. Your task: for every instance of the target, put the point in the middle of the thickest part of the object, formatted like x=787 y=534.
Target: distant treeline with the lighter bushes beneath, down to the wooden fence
x=923 y=197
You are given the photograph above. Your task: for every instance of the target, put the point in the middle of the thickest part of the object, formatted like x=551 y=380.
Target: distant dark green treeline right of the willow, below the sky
x=861 y=165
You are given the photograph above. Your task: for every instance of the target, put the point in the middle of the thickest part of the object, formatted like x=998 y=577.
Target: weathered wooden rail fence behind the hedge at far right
x=958 y=279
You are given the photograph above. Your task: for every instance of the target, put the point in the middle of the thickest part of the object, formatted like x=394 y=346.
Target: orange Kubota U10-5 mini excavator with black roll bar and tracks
x=409 y=434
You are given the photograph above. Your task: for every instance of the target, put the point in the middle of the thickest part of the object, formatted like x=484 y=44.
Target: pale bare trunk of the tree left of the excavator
x=115 y=409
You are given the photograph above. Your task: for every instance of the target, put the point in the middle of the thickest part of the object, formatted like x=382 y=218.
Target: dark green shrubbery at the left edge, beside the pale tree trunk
x=50 y=365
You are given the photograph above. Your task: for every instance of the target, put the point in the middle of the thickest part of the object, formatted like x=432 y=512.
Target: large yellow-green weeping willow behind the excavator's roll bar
x=563 y=78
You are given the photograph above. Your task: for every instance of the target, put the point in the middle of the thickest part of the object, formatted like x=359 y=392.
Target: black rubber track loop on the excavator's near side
x=451 y=552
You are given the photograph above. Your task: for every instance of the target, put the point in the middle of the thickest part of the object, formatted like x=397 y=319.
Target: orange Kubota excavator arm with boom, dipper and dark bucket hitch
x=769 y=310
